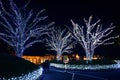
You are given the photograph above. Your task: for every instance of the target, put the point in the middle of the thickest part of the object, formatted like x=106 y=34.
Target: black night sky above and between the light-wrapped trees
x=61 y=11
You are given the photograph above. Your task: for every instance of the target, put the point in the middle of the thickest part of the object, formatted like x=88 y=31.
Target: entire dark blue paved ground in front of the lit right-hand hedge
x=57 y=74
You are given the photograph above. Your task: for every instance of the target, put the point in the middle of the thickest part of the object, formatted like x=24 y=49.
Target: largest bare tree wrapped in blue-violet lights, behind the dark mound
x=21 y=28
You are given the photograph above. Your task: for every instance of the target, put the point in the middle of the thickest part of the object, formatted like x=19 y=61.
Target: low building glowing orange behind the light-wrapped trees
x=41 y=59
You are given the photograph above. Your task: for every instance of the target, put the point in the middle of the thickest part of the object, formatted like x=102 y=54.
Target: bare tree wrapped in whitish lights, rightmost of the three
x=90 y=37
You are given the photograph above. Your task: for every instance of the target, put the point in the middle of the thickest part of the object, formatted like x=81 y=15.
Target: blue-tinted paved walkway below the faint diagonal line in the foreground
x=59 y=75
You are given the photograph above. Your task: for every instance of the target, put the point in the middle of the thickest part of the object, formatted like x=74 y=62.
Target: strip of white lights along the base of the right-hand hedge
x=88 y=67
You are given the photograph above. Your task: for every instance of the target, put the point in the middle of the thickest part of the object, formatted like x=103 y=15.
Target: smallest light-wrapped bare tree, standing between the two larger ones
x=59 y=41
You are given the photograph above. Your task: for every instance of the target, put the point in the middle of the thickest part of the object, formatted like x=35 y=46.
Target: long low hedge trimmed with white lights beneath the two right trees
x=81 y=65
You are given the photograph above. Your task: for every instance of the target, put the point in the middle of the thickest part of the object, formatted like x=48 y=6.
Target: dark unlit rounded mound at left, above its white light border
x=12 y=66
